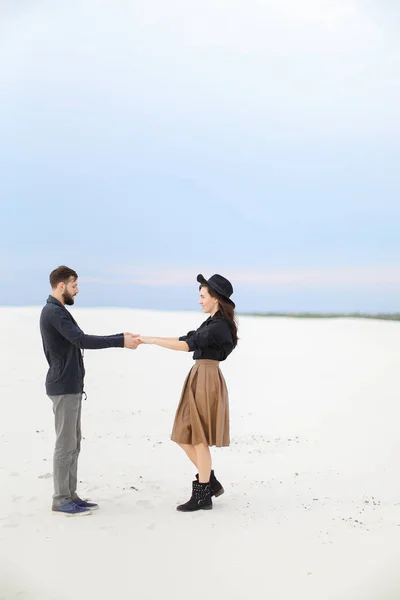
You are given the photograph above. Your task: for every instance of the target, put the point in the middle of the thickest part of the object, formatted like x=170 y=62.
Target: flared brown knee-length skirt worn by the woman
x=202 y=416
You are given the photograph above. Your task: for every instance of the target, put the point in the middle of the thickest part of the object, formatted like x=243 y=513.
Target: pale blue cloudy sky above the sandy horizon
x=142 y=143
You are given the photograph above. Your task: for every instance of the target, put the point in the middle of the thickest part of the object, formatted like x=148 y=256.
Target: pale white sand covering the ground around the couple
x=312 y=502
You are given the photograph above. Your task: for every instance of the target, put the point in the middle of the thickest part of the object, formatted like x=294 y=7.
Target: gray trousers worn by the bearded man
x=67 y=413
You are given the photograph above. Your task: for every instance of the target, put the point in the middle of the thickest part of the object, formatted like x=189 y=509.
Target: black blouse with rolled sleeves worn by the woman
x=212 y=340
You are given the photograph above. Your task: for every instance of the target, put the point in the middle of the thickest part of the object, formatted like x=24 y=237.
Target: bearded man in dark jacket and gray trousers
x=63 y=342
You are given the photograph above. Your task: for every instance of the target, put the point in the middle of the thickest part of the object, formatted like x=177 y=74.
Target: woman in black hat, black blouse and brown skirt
x=202 y=417
